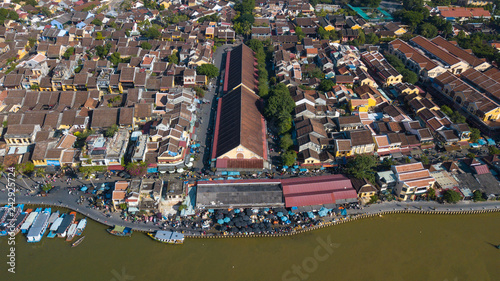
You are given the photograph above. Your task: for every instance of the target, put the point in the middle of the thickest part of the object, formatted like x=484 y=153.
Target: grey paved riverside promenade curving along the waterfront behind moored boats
x=423 y=207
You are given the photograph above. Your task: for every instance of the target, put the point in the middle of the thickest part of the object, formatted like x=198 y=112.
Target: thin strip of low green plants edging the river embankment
x=347 y=219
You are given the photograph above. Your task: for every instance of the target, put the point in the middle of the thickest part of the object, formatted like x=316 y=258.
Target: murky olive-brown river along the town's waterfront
x=394 y=247
